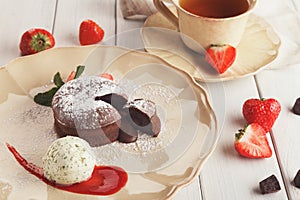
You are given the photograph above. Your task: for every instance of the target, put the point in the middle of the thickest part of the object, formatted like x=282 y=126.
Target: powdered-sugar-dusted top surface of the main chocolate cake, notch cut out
x=75 y=103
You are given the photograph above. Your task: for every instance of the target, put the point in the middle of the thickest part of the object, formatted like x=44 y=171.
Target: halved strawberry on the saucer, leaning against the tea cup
x=221 y=57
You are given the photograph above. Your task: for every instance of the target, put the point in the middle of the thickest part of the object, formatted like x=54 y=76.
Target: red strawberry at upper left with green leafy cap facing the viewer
x=36 y=40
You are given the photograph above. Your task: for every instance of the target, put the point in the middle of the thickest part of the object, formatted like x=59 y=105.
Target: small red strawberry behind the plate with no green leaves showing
x=90 y=32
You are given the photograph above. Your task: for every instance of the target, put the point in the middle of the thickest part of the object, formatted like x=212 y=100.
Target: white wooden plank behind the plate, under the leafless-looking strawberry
x=70 y=13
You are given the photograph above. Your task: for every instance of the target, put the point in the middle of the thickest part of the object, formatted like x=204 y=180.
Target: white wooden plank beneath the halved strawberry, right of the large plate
x=226 y=175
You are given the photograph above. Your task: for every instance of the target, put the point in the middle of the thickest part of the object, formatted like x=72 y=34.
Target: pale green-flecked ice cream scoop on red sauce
x=69 y=160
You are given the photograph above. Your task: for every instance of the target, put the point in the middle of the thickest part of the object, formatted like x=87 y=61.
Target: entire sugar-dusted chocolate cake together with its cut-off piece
x=96 y=109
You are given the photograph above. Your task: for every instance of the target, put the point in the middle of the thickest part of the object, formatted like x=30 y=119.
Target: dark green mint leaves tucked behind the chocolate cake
x=45 y=98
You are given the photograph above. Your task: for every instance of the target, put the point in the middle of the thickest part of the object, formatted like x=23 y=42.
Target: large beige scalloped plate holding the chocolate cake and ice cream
x=157 y=167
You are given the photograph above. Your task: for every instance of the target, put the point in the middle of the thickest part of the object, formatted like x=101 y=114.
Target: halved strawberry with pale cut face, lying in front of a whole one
x=251 y=142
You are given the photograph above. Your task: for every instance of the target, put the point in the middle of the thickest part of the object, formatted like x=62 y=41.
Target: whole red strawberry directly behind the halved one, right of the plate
x=262 y=111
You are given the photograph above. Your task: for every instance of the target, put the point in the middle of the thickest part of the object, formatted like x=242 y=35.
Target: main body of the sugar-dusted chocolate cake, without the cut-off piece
x=88 y=107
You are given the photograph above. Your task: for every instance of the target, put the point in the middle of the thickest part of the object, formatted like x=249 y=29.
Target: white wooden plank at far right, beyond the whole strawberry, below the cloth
x=284 y=86
